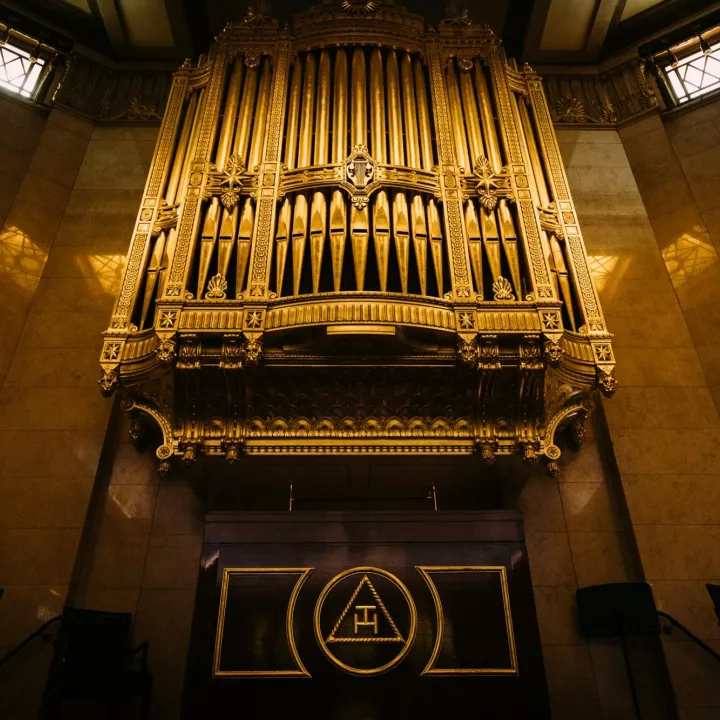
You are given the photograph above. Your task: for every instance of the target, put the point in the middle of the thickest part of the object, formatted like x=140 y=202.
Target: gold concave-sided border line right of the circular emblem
x=429 y=669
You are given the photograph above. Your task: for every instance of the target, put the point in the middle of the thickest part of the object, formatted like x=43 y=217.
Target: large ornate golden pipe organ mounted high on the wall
x=357 y=237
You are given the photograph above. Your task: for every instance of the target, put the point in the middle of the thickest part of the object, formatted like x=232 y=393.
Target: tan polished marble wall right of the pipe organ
x=663 y=423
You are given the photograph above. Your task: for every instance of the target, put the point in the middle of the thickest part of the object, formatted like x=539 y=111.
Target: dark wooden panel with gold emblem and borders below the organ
x=475 y=633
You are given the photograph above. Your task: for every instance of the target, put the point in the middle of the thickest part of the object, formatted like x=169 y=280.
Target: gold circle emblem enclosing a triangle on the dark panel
x=365 y=621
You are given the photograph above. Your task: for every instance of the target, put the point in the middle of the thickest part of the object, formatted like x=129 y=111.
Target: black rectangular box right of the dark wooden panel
x=617 y=609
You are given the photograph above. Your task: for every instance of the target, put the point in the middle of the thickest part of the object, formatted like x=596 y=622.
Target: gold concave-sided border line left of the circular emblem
x=302 y=670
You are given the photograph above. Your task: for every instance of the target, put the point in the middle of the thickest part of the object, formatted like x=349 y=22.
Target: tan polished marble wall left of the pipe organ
x=67 y=233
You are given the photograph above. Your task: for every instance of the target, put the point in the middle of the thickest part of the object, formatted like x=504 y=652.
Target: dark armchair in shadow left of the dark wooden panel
x=95 y=662
